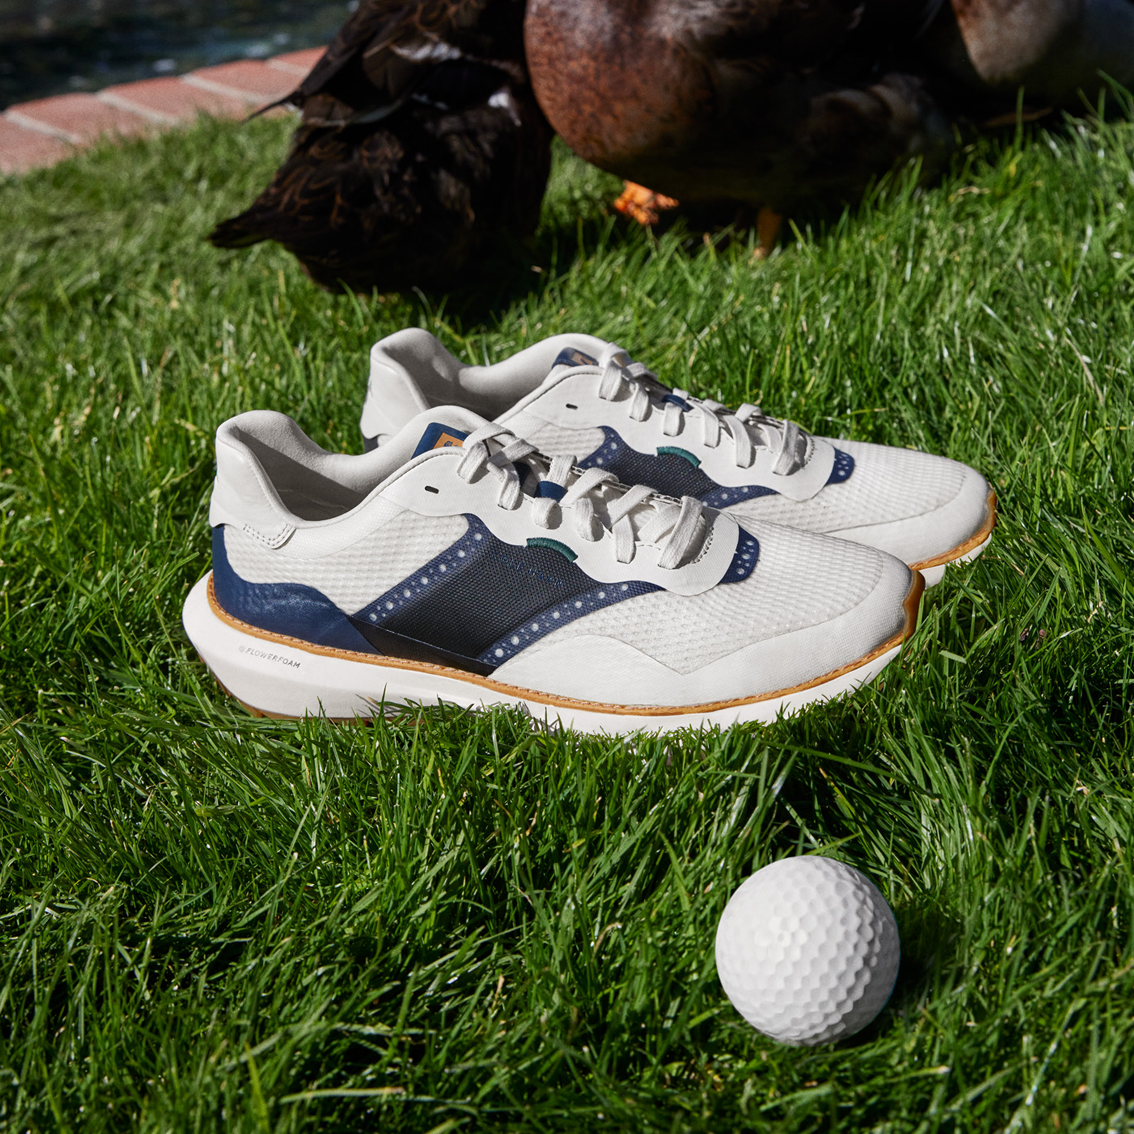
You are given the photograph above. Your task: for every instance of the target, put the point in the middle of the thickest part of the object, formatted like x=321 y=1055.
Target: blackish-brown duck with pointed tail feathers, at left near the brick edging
x=420 y=150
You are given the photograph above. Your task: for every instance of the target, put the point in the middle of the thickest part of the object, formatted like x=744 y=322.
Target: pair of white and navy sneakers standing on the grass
x=488 y=552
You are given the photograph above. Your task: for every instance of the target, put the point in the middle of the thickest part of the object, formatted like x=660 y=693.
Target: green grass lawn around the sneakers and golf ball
x=451 y=923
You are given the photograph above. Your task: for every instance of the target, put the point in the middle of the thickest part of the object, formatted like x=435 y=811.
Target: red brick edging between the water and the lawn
x=44 y=132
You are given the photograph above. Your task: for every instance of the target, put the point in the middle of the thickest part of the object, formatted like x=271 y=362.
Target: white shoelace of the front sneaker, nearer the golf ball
x=594 y=498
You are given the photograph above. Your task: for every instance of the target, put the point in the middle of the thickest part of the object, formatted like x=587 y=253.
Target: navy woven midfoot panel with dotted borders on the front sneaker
x=480 y=594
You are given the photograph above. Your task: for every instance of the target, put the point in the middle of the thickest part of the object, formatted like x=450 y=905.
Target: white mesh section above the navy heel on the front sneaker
x=352 y=578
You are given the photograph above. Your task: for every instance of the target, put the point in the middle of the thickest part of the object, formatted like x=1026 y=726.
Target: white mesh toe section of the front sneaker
x=800 y=581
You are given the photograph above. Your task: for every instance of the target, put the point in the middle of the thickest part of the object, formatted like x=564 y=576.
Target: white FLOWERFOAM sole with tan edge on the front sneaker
x=273 y=675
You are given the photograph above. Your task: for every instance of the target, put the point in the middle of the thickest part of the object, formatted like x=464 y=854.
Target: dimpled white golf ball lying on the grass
x=808 y=951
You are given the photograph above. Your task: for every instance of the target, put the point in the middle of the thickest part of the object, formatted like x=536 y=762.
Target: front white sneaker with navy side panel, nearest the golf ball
x=455 y=564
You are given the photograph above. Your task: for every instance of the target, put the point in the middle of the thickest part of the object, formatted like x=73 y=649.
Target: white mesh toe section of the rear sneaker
x=887 y=485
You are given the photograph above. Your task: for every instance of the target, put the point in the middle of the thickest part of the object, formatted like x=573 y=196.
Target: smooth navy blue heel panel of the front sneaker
x=283 y=608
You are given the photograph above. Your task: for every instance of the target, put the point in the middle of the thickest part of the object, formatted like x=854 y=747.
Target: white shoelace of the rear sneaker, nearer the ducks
x=749 y=428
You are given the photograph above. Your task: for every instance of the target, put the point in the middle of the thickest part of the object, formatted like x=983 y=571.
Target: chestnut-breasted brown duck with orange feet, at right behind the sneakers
x=773 y=104
